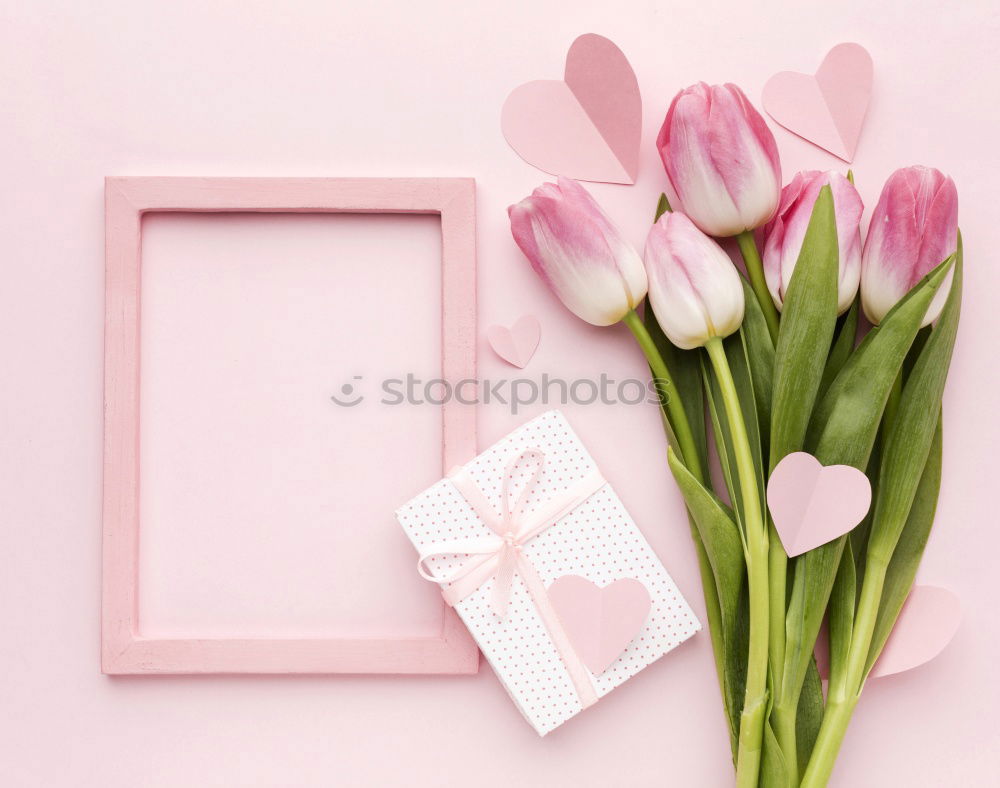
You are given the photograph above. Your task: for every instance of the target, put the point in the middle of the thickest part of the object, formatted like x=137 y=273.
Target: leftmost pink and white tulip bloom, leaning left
x=578 y=252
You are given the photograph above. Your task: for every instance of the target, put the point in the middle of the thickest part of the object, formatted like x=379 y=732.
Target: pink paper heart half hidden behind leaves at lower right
x=926 y=624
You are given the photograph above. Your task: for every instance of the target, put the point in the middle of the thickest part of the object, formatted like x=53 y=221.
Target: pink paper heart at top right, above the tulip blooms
x=827 y=109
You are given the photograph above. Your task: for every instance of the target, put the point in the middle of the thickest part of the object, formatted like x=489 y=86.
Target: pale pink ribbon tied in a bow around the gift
x=500 y=556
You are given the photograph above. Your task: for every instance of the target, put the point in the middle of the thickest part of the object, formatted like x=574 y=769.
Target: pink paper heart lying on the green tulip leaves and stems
x=812 y=504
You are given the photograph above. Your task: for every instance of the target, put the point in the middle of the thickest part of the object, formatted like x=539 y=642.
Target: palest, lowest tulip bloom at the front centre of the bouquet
x=694 y=289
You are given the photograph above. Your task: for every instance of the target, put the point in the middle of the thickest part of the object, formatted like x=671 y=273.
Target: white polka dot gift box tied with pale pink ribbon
x=576 y=526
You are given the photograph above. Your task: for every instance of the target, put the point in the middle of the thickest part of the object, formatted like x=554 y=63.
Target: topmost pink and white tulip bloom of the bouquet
x=721 y=159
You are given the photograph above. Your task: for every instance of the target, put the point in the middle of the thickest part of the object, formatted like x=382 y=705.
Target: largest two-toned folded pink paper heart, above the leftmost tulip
x=586 y=126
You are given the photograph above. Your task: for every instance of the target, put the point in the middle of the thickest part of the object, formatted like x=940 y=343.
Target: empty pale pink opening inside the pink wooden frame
x=273 y=443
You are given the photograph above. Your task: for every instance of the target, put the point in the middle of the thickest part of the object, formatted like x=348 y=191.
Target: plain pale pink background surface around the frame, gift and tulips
x=310 y=88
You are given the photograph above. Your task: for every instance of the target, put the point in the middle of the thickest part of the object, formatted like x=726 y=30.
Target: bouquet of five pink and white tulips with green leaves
x=770 y=364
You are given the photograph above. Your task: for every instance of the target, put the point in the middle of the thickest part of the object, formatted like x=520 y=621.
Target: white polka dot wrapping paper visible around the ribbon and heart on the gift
x=597 y=540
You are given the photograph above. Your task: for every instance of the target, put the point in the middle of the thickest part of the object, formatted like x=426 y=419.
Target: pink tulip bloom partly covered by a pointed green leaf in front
x=785 y=233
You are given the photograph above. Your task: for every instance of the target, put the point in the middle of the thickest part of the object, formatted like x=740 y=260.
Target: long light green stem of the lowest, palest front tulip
x=756 y=540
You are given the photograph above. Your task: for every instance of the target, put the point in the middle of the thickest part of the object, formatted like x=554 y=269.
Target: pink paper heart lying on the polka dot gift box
x=599 y=622
